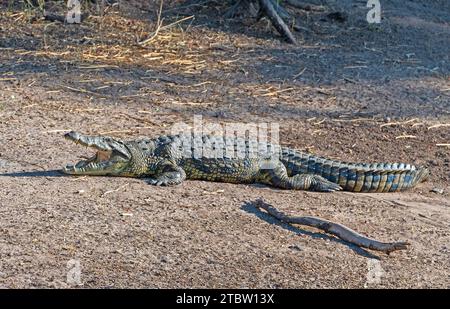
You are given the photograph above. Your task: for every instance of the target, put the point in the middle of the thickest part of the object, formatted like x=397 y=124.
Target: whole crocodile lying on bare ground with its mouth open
x=166 y=161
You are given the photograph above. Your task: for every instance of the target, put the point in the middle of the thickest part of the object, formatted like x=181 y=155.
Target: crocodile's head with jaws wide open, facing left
x=113 y=157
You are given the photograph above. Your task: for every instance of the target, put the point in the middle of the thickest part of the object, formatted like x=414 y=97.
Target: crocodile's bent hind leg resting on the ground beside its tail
x=278 y=177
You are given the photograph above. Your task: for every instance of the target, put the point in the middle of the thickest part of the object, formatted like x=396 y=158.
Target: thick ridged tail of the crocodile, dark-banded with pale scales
x=356 y=177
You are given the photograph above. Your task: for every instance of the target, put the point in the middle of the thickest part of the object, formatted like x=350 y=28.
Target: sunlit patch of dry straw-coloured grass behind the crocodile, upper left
x=125 y=42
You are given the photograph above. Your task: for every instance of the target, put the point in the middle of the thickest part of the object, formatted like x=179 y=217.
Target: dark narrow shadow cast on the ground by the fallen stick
x=250 y=208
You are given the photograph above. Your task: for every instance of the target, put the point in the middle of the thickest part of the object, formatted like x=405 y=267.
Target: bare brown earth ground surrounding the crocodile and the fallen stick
x=350 y=90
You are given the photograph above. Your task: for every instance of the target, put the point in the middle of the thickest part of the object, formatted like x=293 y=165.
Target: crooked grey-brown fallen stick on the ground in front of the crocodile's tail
x=335 y=229
